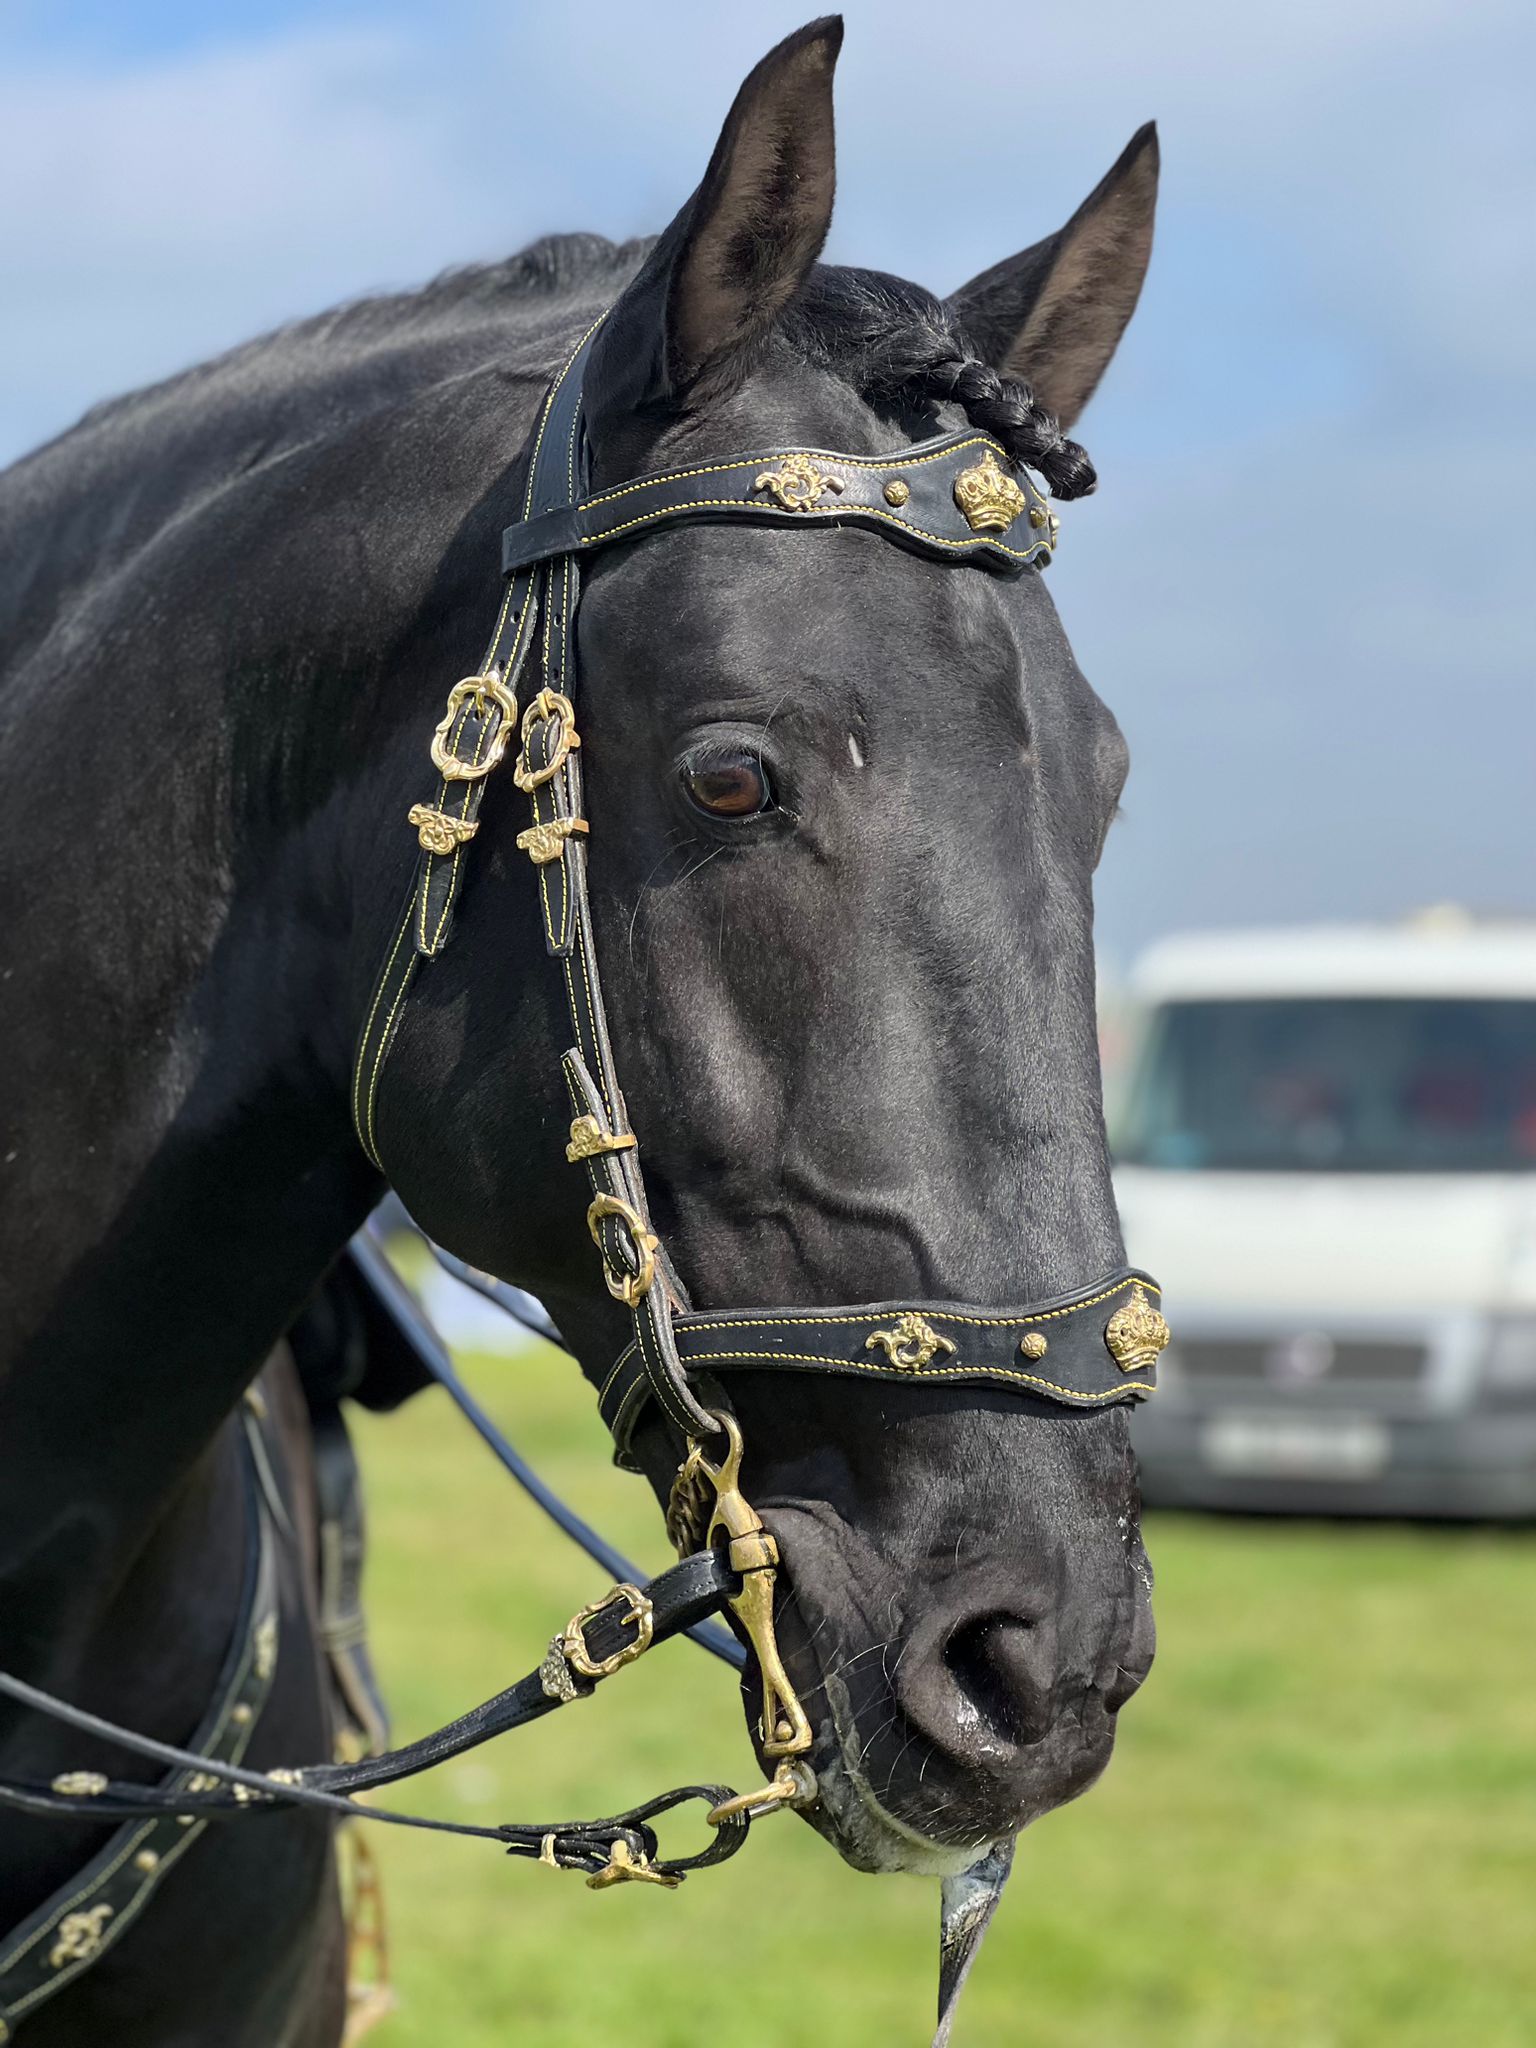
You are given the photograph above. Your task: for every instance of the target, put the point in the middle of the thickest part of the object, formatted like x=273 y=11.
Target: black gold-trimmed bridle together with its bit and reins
x=955 y=499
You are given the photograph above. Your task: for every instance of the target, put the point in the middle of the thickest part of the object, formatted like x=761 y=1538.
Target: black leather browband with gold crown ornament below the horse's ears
x=957 y=497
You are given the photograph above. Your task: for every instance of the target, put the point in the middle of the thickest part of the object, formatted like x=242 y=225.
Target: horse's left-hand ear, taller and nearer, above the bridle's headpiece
x=742 y=247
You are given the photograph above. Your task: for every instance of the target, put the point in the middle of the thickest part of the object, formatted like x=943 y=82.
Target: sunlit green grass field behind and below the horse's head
x=1320 y=1828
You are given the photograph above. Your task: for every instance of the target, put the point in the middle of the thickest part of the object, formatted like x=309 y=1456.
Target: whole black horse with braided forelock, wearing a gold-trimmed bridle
x=843 y=888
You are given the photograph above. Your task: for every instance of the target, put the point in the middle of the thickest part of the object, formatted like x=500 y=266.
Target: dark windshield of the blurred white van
x=1316 y=1084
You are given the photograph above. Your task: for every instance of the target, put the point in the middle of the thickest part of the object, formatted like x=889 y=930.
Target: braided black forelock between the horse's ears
x=902 y=345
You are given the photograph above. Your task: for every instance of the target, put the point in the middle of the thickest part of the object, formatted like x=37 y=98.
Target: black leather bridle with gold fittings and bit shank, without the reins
x=953 y=499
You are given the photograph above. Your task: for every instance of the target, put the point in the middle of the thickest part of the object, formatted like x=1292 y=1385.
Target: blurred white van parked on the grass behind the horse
x=1326 y=1150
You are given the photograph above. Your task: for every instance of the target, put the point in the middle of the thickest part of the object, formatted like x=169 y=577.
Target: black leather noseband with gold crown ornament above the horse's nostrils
x=1080 y=1351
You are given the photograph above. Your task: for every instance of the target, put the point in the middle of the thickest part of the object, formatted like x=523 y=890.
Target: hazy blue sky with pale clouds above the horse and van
x=1306 y=583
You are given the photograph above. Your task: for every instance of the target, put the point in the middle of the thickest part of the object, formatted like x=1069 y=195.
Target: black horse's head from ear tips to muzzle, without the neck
x=845 y=808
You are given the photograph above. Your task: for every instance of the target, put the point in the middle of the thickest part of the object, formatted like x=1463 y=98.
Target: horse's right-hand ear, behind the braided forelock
x=1056 y=314
